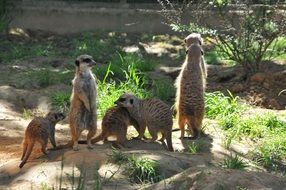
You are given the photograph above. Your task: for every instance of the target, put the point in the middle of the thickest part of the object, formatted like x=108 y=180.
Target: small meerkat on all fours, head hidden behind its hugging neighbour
x=115 y=123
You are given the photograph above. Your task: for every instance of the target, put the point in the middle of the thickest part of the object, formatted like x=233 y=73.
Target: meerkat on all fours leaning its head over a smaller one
x=153 y=113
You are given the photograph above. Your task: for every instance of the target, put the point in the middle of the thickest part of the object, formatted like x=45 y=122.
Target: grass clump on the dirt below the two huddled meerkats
x=143 y=170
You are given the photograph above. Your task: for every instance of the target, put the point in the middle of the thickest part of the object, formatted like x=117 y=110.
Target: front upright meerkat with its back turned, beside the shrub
x=190 y=92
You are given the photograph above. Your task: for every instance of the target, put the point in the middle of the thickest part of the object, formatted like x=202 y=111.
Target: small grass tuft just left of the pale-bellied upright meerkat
x=61 y=100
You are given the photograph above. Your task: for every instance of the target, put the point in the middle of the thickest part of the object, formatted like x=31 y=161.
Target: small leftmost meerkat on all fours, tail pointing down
x=40 y=129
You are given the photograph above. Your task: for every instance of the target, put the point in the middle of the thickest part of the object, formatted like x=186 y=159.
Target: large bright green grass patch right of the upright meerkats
x=266 y=130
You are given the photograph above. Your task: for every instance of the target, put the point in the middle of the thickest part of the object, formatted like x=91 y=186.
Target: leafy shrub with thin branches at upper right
x=244 y=38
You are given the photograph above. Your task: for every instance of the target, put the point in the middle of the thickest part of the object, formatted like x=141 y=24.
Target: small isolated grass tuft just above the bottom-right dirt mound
x=233 y=162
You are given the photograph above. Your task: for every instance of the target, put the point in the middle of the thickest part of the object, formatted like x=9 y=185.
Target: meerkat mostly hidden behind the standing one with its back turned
x=195 y=38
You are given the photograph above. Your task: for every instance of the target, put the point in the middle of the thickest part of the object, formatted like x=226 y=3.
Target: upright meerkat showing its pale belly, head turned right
x=82 y=113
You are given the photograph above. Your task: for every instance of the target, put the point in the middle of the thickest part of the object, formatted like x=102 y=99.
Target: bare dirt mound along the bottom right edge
x=214 y=178
